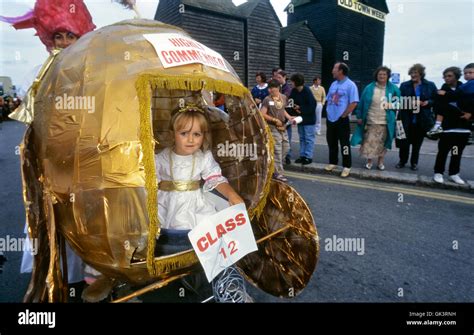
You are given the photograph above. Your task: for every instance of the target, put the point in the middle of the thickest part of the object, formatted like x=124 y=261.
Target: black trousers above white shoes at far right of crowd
x=454 y=142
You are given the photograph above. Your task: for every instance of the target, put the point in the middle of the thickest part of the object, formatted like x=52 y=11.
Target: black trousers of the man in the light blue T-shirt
x=337 y=133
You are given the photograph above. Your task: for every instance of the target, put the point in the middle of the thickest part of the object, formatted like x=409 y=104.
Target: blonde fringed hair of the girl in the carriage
x=184 y=119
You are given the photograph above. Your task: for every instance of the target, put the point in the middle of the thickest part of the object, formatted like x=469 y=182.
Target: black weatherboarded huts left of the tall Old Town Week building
x=250 y=36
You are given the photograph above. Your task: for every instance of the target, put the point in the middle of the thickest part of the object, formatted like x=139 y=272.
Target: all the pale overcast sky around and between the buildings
x=436 y=33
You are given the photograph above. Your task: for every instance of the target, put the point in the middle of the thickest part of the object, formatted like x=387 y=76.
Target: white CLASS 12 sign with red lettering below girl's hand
x=222 y=239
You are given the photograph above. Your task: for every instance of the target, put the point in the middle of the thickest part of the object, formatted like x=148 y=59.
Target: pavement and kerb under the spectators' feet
x=422 y=177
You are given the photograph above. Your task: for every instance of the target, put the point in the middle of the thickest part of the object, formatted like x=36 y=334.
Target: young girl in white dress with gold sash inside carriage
x=180 y=169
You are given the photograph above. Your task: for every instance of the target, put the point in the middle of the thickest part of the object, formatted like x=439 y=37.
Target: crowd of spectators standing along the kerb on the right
x=384 y=113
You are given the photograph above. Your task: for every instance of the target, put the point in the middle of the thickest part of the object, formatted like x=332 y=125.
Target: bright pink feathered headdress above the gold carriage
x=52 y=16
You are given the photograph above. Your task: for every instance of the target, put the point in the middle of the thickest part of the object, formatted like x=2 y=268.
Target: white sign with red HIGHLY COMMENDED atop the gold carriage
x=177 y=50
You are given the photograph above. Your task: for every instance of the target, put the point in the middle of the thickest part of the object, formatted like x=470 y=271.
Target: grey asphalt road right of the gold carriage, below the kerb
x=421 y=244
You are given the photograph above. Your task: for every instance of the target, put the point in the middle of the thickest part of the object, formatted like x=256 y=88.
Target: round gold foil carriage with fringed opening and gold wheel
x=89 y=175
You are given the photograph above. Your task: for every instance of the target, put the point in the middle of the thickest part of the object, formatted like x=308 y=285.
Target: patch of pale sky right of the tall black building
x=436 y=33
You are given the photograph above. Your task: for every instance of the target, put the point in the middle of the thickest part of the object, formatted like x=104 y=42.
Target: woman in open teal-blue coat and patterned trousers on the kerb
x=376 y=118
